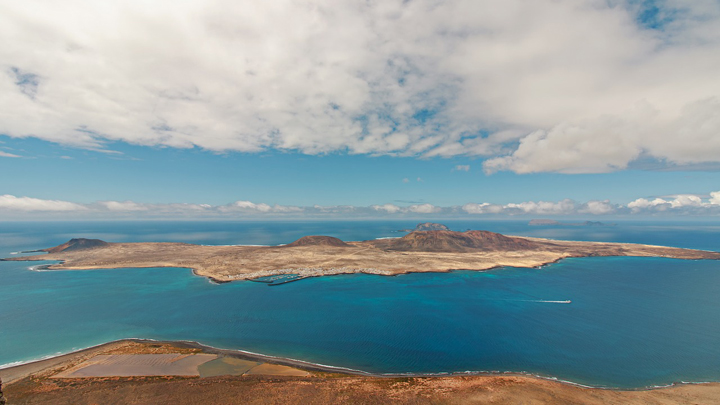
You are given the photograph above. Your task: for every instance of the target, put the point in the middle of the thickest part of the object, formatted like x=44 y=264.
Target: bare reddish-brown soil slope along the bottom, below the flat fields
x=340 y=390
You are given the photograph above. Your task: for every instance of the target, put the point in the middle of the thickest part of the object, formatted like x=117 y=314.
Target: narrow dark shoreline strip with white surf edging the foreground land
x=16 y=371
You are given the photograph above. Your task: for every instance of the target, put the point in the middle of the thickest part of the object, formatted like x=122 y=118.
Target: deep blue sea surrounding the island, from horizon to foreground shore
x=633 y=322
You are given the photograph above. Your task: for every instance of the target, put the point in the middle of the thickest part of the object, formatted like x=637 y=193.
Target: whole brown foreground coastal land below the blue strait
x=262 y=379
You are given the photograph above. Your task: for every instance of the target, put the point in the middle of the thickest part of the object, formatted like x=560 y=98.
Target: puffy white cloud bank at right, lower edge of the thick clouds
x=610 y=143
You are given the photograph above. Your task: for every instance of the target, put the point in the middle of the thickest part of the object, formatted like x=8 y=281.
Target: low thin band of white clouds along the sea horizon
x=682 y=204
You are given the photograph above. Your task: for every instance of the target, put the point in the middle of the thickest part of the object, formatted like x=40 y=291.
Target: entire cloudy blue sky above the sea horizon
x=359 y=109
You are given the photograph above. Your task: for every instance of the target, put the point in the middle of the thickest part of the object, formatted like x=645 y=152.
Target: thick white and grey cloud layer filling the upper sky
x=567 y=86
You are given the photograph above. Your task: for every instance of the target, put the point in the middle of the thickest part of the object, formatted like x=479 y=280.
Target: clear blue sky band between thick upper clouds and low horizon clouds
x=154 y=175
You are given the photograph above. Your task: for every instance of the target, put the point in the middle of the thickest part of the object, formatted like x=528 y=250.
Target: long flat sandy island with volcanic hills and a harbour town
x=313 y=256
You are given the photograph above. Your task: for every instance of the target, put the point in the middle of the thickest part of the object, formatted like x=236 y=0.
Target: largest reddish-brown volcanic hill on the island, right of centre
x=449 y=241
